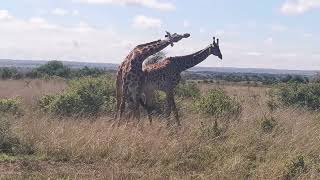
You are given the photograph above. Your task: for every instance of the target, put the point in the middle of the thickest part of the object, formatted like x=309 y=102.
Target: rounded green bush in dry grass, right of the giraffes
x=217 y=104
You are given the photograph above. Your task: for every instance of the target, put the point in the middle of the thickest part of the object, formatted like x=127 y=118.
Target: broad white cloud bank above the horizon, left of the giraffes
x=37 y=38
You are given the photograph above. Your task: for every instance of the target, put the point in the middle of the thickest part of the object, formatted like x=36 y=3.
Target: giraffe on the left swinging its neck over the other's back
x=130 y=75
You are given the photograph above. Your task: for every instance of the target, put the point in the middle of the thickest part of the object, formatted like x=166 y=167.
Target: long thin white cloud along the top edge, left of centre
x=154 y=4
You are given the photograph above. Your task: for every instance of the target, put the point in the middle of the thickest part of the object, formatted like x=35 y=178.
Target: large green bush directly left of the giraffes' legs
x=84 y=97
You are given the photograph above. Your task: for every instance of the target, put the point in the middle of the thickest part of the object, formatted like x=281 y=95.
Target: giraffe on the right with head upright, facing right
x=165 y=76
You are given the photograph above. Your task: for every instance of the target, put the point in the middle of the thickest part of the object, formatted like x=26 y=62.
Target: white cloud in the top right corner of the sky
x=295 y=7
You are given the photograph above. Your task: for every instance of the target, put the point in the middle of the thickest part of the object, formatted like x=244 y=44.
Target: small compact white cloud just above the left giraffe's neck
x=145 y=22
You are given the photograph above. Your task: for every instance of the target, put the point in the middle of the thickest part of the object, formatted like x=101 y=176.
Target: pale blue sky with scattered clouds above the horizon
x=280 y=34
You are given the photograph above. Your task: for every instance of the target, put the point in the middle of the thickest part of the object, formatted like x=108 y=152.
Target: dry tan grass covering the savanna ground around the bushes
x=261 y=144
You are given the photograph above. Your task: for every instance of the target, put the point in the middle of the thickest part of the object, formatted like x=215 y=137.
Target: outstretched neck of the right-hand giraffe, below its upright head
x=186 y=62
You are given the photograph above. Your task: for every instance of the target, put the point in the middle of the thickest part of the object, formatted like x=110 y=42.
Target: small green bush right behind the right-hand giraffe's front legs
x=187 y=90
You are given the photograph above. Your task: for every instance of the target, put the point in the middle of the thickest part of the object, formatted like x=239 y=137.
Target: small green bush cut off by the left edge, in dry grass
x=10 y=106
